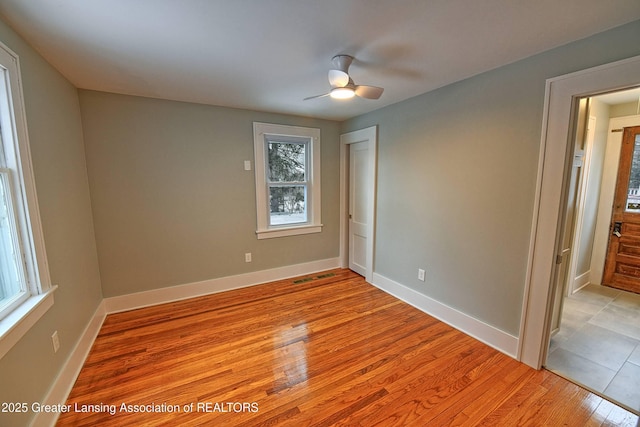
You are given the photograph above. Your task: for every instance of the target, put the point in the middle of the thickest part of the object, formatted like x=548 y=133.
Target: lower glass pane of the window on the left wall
x=11 y=278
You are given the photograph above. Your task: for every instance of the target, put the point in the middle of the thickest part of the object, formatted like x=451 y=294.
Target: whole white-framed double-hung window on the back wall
x=287 y=167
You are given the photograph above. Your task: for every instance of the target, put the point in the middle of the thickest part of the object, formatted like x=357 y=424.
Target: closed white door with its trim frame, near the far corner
x=358 y=159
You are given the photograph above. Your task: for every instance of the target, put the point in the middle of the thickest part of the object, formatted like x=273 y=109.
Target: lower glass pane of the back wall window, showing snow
x=287 y=205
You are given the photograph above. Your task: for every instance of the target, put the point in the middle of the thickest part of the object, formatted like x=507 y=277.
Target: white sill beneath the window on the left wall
x=14 y=326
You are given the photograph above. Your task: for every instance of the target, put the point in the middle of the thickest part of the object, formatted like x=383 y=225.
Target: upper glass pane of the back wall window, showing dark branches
x=287 y=162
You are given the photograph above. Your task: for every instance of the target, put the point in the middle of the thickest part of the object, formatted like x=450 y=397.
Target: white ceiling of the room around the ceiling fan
x=270 y=54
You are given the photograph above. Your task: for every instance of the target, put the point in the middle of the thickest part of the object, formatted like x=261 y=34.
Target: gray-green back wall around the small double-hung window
x=172 y=202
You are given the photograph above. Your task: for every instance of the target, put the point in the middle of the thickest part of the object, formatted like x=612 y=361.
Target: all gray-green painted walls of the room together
x=172 y=204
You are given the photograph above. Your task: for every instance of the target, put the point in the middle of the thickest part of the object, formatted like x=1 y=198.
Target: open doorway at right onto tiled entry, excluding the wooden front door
x=595 y=331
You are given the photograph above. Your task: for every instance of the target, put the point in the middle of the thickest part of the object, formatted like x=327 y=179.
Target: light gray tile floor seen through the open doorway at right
x=598 y=345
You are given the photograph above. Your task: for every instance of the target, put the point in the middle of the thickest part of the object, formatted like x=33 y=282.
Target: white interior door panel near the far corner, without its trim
x=358 y=206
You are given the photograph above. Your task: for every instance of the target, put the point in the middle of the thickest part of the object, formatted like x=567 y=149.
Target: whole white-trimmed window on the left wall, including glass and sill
x=25 y=287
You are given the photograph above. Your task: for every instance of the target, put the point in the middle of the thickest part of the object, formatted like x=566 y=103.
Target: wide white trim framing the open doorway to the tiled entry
x=557 y=121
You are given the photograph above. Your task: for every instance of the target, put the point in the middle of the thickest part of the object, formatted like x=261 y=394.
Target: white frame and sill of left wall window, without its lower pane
x=15 y=139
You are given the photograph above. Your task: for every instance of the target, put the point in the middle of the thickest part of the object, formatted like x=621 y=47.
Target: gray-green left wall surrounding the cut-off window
x=29 y=369
